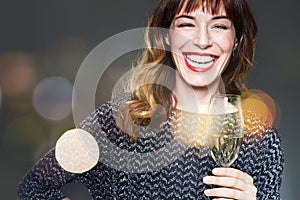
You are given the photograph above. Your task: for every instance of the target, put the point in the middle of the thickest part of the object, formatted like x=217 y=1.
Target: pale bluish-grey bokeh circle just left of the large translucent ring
x=52 y=98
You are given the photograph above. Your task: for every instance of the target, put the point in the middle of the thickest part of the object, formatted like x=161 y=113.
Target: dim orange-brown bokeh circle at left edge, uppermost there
x=17 y=74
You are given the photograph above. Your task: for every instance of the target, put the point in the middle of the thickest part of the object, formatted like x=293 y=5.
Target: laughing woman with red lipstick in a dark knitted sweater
x=197 y=48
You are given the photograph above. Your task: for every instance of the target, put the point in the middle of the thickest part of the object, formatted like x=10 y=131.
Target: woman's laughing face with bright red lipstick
x=201 y=45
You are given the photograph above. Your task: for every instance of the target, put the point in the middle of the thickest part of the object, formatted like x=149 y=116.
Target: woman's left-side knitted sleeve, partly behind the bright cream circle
x=46 y=177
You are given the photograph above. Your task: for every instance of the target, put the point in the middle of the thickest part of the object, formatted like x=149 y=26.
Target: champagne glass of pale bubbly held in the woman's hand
x=225 y=128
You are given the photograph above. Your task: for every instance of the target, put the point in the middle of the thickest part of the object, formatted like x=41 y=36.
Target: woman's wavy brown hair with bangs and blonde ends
x=152 y=82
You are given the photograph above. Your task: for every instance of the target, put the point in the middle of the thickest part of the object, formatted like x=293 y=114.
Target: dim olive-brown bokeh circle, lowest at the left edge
x=23 y=138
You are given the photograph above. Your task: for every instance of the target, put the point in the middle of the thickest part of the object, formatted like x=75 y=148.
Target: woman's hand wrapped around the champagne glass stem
x=234 y=184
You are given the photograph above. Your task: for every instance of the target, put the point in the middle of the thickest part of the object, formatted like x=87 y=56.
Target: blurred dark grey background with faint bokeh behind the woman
x=43 y=43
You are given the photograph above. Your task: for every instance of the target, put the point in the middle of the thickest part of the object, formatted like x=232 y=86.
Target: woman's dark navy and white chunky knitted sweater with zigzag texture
x=155 y=165
